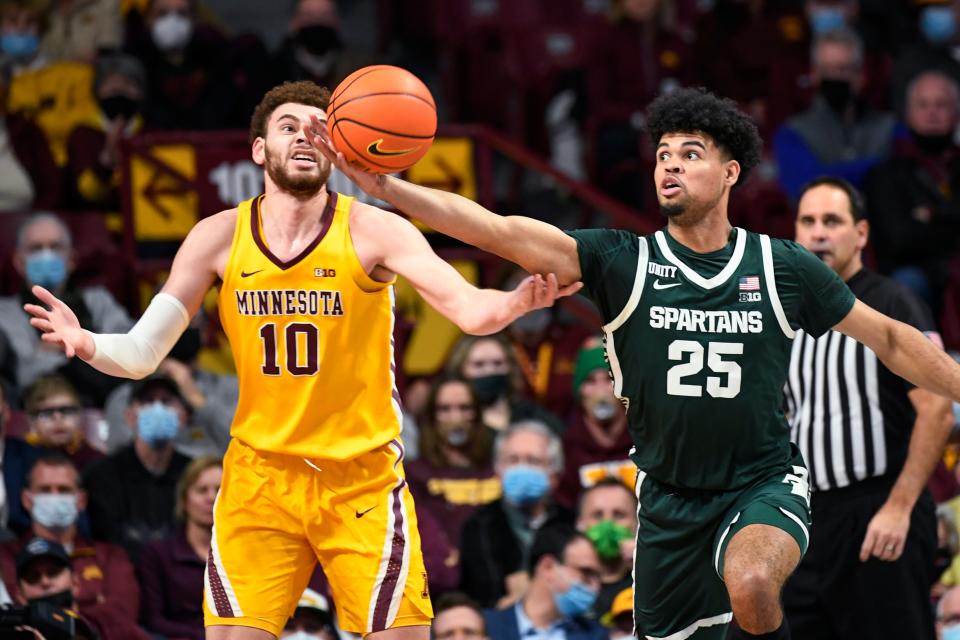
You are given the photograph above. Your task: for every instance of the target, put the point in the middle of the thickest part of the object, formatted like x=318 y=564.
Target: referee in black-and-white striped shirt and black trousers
x=870 y=440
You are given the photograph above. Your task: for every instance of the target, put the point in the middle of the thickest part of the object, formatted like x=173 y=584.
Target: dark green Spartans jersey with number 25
x=699 y=346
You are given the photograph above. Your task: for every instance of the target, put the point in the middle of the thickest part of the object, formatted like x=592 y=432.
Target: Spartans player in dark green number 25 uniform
x=699 y=319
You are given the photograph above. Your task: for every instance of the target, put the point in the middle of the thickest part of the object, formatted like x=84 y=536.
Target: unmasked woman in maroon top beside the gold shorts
x=171 y=570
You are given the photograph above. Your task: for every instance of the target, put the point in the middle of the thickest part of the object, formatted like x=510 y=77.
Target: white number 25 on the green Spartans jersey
x=679 y=349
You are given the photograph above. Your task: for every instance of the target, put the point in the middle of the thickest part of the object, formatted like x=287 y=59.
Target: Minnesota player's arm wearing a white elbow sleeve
x=137 y=353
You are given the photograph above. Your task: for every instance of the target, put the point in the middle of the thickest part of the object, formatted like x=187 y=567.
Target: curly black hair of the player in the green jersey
x=696 y=110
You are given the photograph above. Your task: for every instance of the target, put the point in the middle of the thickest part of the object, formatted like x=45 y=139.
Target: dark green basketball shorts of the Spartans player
x=681 y=541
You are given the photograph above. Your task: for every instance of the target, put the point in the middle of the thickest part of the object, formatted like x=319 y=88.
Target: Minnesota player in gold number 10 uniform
x=313 y=471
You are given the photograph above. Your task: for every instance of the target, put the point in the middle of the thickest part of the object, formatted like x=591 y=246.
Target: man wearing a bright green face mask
x=607 y=515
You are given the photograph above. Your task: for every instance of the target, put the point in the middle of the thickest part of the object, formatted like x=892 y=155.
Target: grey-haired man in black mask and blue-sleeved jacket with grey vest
x=839 y=134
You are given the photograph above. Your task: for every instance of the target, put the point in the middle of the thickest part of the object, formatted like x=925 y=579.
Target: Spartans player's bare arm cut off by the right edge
x=904 y=350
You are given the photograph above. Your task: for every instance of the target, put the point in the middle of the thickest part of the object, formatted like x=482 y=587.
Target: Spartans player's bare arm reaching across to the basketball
x=536 y=246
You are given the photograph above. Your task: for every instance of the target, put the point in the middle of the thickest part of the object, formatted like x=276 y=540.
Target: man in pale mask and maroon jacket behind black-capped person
x=104 y=576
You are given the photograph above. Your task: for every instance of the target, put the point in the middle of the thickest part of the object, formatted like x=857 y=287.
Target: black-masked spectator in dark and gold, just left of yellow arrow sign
x=93 y=148
